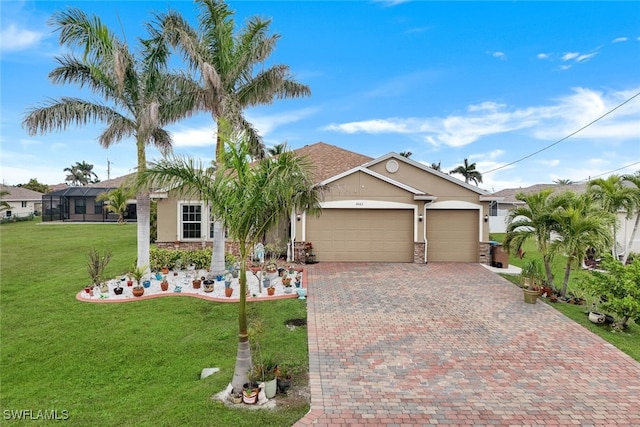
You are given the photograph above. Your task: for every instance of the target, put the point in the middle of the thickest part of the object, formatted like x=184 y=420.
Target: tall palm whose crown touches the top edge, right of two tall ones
x=233 y=73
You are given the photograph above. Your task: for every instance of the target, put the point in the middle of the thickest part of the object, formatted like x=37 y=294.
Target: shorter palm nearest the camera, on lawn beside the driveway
x=249 y=199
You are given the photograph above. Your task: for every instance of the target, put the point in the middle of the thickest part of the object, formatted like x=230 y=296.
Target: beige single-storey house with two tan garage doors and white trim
x=388 y=209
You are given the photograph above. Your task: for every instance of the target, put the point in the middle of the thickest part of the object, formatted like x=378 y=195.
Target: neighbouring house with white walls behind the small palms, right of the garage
x=499 y=209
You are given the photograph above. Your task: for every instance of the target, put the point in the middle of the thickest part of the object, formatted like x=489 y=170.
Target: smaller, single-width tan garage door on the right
x=452 y=235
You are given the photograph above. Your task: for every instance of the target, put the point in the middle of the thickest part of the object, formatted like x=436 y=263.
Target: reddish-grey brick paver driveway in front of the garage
x=454 y=344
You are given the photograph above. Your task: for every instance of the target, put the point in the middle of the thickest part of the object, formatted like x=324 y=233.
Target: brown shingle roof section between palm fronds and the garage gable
x=329 y=160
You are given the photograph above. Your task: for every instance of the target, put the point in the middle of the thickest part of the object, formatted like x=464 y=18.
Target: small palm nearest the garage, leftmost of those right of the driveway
x=534 y=220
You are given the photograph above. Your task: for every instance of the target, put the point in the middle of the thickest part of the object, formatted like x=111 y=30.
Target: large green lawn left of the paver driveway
x=130 y=364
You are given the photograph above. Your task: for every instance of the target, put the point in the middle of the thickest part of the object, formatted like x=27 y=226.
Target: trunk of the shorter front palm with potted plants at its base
x=243 y=356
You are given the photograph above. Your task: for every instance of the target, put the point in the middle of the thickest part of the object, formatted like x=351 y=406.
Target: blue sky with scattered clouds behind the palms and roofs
x=489 y=81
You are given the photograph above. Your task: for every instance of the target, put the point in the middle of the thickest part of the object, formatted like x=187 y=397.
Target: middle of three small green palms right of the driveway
x=580 y=225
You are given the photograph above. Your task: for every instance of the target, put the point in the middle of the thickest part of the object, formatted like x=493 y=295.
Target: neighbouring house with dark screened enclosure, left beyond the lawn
x=79 y=204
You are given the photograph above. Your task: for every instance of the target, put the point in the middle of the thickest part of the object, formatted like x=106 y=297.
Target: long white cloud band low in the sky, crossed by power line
x=546 y=122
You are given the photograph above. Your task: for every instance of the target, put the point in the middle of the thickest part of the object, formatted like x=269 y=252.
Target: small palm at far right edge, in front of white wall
x=613 y=197
